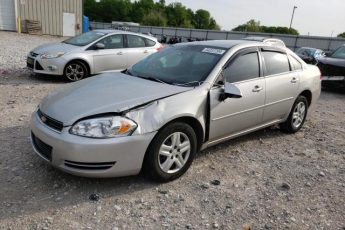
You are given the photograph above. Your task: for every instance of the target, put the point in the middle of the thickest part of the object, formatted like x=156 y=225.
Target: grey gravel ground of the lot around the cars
x=267 y=180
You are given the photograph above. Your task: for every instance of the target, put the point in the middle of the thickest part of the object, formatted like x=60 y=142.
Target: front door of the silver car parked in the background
x=113 y=57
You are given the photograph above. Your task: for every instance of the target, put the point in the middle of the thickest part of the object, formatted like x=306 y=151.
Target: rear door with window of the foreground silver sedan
x=282 y=83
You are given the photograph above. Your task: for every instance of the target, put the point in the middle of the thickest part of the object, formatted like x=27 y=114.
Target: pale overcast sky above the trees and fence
x=316 y=17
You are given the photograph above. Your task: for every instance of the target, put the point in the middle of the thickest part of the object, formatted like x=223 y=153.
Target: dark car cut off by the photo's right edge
x=332 y=68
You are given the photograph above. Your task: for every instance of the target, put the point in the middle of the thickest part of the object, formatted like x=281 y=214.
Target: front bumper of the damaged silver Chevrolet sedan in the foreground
x=112 y=157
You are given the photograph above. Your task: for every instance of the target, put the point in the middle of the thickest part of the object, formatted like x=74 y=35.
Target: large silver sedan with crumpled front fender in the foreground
x=159 y=113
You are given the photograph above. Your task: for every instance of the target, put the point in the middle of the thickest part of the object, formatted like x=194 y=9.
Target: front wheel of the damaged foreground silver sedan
x=171 y=152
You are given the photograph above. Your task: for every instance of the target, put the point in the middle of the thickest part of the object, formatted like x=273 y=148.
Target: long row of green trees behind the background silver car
x=148 y=12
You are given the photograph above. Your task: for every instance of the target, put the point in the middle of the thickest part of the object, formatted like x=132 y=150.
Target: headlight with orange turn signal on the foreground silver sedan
x=104 y=127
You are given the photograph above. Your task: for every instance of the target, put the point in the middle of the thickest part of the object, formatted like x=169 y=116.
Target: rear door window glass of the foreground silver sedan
x=276 y=62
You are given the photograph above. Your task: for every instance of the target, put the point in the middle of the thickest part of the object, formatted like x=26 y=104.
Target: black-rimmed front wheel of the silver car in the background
x=75 y=71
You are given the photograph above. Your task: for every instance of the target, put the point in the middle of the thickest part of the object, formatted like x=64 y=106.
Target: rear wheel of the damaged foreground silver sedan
x=297 y=116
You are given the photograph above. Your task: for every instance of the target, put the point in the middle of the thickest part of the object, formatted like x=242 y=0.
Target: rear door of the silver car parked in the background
x=137 y=48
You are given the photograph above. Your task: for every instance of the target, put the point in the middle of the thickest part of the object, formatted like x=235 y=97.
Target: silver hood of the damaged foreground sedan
x=105 y=93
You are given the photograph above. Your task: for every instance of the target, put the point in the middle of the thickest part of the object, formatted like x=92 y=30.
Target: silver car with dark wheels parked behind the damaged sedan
x=92 y=53
